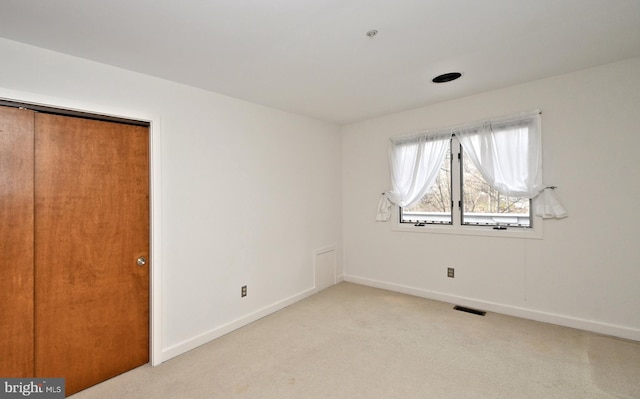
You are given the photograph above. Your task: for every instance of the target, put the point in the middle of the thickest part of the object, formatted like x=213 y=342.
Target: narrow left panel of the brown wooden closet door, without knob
x=16 y=242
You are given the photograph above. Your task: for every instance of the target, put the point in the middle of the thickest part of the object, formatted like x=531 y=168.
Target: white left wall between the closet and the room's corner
x=248 y=192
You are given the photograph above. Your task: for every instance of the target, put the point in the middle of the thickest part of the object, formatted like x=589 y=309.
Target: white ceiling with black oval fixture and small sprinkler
x=313 y=57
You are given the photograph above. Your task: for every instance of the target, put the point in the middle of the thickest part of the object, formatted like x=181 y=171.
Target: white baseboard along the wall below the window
x=562 y=320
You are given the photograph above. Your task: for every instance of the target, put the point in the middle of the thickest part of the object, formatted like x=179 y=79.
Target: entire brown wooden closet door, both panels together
x=76 y=221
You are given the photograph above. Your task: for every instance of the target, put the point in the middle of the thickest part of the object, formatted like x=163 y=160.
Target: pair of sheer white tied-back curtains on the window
x=507 y=152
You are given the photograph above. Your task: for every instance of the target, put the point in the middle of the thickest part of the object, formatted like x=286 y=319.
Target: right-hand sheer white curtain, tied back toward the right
x=508 y=154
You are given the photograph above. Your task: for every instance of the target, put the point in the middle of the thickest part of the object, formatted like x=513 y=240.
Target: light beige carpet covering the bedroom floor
x=351 y=341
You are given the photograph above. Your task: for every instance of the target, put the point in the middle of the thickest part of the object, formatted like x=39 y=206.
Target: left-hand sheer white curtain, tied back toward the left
x=414 y=163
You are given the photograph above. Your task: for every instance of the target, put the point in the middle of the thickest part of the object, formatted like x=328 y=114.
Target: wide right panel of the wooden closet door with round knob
x=92 y=225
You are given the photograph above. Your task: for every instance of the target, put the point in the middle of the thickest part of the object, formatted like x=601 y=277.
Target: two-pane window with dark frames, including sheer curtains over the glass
x=487 y=176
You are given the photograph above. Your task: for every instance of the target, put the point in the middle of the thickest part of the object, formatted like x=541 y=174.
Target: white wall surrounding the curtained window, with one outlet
x=584 y=273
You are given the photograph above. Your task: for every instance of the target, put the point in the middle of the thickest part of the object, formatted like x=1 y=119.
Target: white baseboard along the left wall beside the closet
x=187 y=345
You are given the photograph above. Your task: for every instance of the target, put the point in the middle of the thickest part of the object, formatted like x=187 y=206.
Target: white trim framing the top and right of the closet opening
x=155 y=191
